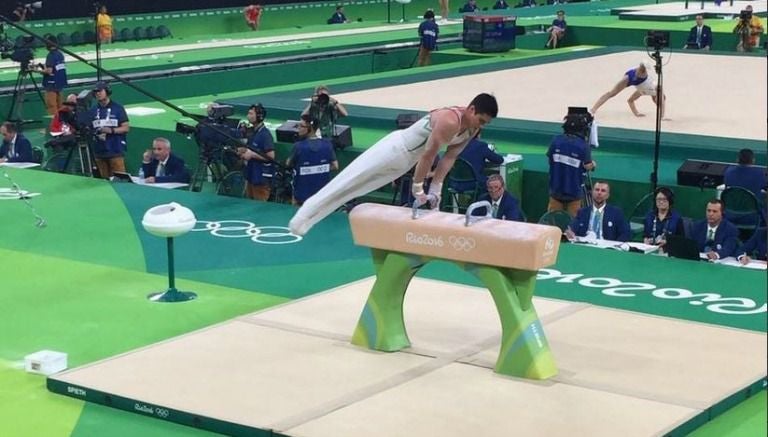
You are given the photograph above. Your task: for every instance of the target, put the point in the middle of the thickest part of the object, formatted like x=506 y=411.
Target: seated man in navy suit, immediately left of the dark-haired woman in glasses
x=607 y=222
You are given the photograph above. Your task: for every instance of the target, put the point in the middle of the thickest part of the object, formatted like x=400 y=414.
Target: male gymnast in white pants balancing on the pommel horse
x=396 y=153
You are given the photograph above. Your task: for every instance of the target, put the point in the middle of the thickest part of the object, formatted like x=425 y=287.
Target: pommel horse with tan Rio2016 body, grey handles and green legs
x=504 y=255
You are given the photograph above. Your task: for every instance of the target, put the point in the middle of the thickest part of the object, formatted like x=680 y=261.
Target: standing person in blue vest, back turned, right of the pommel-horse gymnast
x=569 y=157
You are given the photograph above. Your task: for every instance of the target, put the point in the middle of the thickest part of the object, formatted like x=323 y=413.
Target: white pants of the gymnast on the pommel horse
x=381 y=164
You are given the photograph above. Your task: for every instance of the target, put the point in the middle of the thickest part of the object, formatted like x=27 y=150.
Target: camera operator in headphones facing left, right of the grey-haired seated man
x=257 y=154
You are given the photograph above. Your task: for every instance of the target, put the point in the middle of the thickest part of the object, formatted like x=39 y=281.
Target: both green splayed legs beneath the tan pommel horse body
x=524 y=351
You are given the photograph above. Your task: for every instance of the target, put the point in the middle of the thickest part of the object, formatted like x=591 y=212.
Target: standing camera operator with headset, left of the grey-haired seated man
x=110 y=124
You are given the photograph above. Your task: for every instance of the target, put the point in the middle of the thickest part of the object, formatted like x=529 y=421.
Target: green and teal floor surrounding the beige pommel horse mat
x=79 y=286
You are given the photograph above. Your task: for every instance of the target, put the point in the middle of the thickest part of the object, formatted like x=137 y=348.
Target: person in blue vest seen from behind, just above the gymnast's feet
x=312 y=160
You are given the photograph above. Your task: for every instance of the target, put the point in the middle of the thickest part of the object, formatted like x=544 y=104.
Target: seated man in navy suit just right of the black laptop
x=716 y=237
